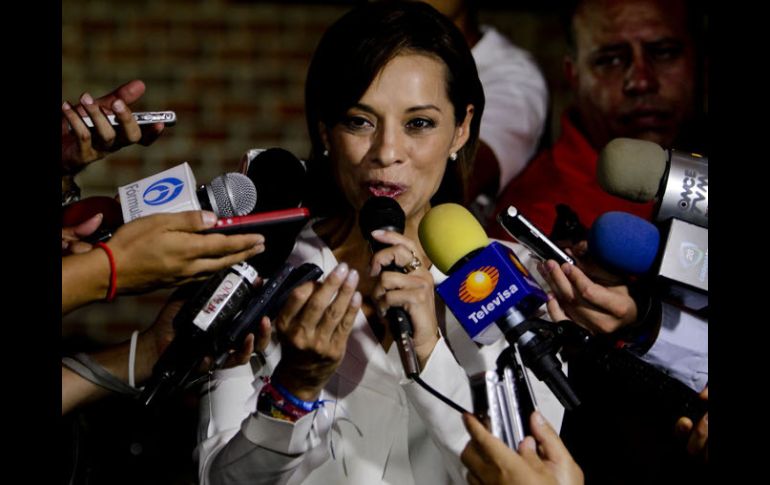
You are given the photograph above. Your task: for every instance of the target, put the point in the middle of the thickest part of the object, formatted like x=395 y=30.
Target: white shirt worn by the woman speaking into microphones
x=378 y=428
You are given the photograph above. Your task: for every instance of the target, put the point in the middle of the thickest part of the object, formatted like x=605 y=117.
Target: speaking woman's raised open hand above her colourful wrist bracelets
x=313 y=328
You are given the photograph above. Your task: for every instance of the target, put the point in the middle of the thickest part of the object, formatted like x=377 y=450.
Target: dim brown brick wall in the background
x=234 y=73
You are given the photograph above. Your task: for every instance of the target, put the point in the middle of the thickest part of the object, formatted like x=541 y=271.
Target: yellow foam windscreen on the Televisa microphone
x=448 y=233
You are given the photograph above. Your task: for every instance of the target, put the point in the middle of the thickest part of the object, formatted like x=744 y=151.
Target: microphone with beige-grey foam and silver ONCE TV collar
x=642 y=171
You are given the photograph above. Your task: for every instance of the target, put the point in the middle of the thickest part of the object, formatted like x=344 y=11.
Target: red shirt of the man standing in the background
x=566 y=174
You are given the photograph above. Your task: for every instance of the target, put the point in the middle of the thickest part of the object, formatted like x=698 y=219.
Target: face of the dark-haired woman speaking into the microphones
x=396 y=140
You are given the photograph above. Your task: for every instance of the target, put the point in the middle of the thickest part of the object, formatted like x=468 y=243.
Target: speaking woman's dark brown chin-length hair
x=350 y=55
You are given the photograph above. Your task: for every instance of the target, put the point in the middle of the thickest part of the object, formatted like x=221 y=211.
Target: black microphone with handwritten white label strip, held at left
x=197 y=327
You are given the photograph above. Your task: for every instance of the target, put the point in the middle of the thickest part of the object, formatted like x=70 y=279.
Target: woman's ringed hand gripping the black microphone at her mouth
x=413 y=291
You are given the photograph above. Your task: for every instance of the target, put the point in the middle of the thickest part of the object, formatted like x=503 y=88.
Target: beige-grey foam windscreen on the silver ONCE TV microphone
x=632 y=169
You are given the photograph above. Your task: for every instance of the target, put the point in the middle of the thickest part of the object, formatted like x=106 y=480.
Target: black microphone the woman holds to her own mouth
x=385 y=213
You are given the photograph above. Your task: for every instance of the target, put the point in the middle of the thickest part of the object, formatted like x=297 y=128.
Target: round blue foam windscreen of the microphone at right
x=624 y=242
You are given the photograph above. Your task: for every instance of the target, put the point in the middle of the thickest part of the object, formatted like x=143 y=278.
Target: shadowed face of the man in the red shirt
x=633 y=75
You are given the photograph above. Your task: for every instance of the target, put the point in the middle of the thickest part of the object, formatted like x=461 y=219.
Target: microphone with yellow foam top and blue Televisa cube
x=490 y=292
